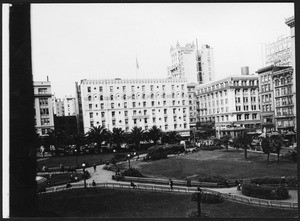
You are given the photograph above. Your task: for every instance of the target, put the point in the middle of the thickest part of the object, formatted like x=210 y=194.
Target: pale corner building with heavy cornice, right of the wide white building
x=232 y=103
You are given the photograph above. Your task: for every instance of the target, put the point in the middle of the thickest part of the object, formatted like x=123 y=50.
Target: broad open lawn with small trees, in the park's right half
x=231 y=165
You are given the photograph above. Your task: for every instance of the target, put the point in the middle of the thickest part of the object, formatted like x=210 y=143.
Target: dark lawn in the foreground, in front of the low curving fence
x=106 y=203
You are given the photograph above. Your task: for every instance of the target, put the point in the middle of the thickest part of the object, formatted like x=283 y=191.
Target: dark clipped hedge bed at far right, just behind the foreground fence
x=265 y=192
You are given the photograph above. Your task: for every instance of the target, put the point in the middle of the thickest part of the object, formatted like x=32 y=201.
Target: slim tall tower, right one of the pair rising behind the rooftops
x=205 y=65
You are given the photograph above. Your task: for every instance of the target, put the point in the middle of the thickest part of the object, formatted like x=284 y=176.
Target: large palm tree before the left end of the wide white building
x=97 y=135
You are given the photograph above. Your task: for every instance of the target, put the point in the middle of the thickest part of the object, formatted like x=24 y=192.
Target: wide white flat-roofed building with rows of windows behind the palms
x=135 y=102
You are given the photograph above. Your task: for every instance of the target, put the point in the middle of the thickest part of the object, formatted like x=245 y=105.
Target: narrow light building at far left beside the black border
x=43 y=106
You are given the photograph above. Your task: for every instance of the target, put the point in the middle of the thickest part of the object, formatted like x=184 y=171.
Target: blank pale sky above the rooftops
x=92 y=41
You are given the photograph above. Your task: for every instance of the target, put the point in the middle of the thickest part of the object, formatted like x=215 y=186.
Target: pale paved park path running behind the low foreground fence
x=101 y=176
